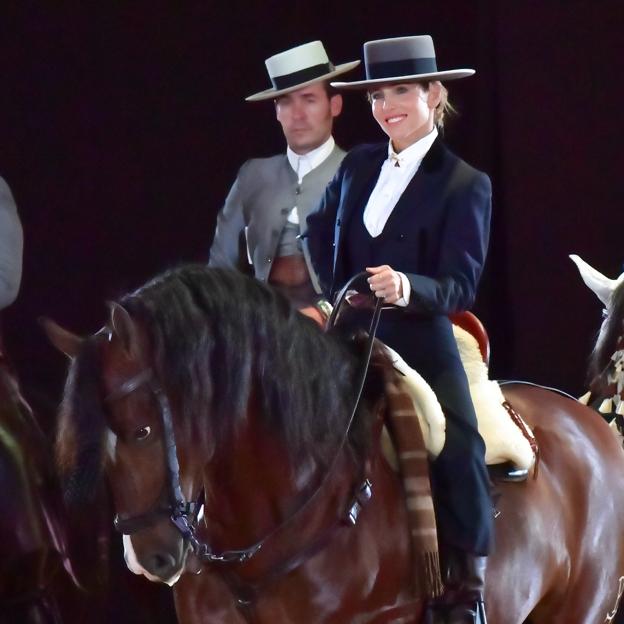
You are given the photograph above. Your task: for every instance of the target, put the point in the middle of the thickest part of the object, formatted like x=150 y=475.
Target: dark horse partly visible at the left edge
x=36 y=576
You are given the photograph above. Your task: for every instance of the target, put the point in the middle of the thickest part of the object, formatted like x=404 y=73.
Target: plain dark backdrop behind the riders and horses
x=123 y=126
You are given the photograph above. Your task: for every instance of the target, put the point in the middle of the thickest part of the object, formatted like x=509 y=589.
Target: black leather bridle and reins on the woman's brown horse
x=184 y=514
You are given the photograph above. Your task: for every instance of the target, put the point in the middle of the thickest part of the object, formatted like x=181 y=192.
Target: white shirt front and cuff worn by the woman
x=393 y=180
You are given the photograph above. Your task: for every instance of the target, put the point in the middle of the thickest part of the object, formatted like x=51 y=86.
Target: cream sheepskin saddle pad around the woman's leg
x=504 y=441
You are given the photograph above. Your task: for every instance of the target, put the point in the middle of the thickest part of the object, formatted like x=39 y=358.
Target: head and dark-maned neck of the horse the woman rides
x=202 y=391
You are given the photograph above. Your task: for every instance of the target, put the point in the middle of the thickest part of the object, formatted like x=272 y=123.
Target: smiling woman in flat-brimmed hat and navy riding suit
x=416 y=218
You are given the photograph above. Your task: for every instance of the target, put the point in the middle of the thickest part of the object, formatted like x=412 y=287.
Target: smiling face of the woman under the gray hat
x=405 y=111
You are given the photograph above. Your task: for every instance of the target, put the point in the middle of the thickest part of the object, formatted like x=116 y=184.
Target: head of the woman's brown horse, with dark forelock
x=111 y=423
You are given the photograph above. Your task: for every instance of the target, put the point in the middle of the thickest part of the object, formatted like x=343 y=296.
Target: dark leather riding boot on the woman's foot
x=462 y=602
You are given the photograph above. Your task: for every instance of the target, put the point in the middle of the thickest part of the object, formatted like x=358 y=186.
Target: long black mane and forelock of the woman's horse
x=218 y=339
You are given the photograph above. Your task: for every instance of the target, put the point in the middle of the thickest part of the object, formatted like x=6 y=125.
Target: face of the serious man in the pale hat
x=307 y=116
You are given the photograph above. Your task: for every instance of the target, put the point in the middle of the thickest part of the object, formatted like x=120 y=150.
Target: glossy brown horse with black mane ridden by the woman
x=207 y=387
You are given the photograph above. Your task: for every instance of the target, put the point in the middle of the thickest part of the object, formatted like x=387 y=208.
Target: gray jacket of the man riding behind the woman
x=257 y=207
